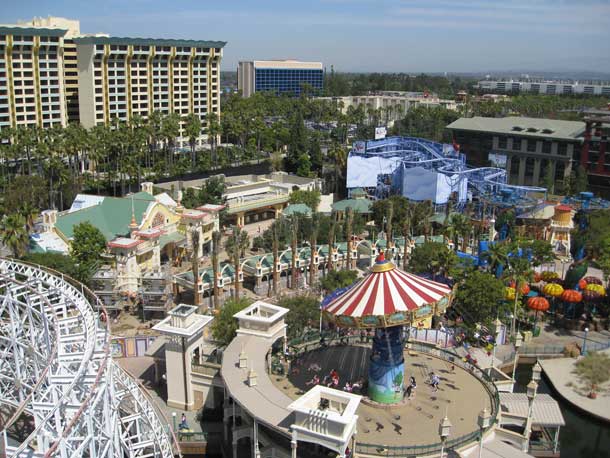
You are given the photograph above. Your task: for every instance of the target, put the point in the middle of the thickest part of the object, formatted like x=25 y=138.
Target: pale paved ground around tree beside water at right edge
x=559 y=373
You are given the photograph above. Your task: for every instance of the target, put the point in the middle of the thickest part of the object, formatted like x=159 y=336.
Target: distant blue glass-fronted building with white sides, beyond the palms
x=279 y=76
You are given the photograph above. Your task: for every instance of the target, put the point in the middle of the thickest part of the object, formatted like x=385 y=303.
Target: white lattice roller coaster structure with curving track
x=61 y=394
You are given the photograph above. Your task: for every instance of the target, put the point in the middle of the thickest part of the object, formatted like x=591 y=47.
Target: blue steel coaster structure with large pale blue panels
x=421 y=169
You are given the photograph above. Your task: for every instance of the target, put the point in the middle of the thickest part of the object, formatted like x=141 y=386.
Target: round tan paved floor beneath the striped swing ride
x=413 y=422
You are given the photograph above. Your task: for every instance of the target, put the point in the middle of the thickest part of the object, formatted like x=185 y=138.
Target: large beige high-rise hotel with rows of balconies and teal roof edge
x=51 y=74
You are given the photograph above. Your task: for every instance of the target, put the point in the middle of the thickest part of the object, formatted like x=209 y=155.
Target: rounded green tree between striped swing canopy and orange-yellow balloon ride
x=479 y=298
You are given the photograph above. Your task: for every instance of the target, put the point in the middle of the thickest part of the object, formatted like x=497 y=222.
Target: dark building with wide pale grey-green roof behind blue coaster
x=528 y=148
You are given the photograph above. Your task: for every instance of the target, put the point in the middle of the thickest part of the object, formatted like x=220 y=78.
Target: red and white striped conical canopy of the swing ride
x=386 y=291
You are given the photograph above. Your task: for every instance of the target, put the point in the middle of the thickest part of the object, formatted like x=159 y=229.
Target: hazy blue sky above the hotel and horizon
x=362 y=35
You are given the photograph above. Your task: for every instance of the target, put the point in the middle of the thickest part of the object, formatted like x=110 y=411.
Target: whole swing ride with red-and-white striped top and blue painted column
x=386 y=300
